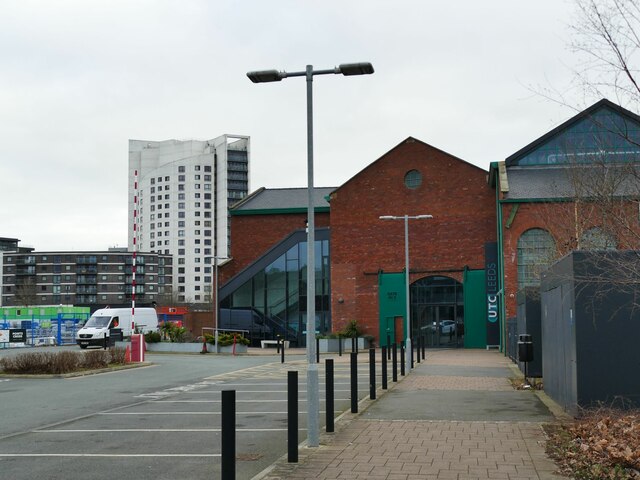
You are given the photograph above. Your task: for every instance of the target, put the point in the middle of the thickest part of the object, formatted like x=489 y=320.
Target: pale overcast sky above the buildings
x=78 y=78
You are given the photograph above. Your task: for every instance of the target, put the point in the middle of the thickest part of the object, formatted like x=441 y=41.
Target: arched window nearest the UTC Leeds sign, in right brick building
x=536 y=251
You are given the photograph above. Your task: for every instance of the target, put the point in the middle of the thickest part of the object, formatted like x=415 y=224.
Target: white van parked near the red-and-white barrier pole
x=93 y=332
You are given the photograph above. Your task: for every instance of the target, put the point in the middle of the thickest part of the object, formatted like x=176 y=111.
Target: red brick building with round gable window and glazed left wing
x=266 y=275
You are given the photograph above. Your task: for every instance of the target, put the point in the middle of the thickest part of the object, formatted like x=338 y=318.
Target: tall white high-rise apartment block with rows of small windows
x=185 y=189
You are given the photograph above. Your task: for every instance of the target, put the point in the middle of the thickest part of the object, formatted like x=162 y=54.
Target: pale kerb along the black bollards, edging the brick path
x=341 y=422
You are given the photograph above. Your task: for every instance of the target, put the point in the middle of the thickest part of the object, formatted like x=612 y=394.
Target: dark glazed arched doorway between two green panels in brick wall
x=437 y=311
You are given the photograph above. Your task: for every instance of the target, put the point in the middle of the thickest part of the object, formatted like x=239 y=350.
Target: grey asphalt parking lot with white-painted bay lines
x=158 y=422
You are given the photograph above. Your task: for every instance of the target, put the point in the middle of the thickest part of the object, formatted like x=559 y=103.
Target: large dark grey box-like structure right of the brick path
x=590 y=329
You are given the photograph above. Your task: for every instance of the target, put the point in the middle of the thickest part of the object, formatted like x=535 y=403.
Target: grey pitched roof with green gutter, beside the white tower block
x=283 y=198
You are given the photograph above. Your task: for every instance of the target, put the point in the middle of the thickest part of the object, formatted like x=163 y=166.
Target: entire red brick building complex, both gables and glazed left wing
x=491 y=234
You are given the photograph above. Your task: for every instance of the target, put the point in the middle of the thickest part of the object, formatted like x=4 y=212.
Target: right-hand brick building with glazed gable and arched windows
x=574 y=188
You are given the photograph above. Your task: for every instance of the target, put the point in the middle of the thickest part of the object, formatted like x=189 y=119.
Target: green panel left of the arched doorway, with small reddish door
x=392 y=304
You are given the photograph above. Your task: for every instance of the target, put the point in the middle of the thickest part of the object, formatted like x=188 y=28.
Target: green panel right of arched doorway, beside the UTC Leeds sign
x=475 y=309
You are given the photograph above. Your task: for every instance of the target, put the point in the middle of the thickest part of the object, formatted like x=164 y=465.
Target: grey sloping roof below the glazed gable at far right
x=564 y=181
